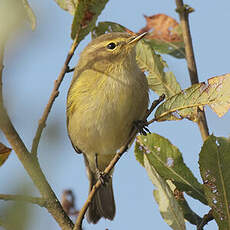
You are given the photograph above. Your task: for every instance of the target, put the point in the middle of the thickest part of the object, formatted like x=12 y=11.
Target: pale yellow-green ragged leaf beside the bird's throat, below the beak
x=159 y=81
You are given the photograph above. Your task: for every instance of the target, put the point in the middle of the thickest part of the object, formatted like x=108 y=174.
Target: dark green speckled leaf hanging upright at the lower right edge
x=214 y=167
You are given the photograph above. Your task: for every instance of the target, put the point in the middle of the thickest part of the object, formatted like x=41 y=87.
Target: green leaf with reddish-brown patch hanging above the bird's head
x=85 y=17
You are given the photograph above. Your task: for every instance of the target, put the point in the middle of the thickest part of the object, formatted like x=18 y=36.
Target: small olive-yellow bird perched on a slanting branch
x=107 y=95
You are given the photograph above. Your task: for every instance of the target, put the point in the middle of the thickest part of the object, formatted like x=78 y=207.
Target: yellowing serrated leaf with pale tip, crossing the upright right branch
x=215 y=93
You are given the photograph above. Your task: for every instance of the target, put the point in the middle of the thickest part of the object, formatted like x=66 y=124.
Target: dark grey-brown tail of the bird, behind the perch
x=103 y=204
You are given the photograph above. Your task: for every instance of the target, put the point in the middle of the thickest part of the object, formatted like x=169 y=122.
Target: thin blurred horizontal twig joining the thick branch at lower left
x=30 y=199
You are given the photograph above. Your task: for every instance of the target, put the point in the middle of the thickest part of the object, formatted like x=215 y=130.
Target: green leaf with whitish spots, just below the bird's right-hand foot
x=168 y=161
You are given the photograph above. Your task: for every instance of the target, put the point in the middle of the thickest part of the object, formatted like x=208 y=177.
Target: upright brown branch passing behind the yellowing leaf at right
x=184 y=11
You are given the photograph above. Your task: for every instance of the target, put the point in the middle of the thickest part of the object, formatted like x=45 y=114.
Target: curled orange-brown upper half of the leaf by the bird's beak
x=162 y=27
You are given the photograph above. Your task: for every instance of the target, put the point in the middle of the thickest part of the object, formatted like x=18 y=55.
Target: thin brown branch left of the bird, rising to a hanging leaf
x=42 y=122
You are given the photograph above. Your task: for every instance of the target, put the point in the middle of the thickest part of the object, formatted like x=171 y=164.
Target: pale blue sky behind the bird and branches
x=34 y=60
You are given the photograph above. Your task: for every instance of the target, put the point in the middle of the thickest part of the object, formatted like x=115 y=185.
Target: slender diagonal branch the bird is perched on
x=111 y=165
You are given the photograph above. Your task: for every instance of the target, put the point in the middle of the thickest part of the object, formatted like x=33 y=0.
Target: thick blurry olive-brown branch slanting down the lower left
x=30 y=162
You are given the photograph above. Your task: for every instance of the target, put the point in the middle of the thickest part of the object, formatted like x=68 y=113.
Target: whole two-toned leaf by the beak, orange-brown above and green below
x=164 y=35
